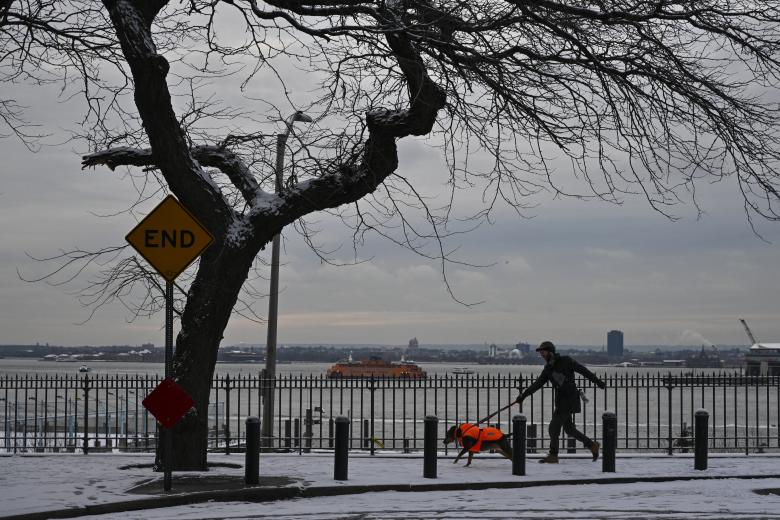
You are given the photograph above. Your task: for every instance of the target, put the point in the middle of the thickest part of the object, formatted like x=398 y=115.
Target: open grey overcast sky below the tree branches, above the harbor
x=569 y=274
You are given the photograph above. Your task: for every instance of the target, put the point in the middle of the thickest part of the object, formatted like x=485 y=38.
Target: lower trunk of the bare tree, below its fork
x=209 y=305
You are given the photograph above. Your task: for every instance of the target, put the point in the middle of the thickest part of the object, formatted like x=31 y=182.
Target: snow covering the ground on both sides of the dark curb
x=31 y=483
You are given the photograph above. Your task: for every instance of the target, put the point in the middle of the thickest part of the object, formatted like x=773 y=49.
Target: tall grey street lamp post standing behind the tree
x=273 y=297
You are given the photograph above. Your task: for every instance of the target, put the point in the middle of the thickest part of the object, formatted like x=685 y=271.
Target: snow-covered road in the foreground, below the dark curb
x=721 y=499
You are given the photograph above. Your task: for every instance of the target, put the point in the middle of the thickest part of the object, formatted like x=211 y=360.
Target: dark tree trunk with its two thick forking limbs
x=225 y=266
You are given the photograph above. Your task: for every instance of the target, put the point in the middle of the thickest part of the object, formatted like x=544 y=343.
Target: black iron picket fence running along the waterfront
x=655 y=411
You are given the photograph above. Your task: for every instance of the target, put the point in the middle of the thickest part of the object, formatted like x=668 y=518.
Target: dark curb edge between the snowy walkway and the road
x=285 y=493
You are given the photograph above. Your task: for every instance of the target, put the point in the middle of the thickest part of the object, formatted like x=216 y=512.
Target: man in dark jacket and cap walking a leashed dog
x=559 y=371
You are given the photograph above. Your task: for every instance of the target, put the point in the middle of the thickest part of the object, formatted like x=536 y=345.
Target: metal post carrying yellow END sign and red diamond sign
x=170 y=238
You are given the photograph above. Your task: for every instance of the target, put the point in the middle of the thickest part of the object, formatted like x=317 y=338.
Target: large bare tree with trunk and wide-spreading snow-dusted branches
x=645 y=97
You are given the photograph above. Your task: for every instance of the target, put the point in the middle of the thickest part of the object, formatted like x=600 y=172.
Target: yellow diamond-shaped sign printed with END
x=170 y=238
